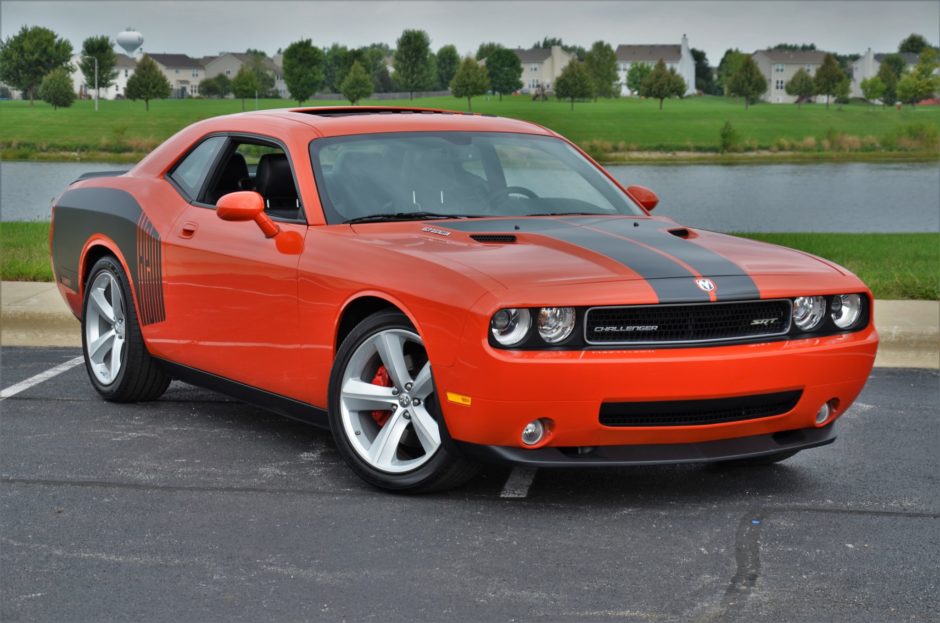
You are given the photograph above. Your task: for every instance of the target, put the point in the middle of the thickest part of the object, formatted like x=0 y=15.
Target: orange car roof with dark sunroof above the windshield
x=345 y=120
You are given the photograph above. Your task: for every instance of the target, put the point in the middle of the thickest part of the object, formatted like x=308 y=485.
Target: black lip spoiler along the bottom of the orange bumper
x=657 y=454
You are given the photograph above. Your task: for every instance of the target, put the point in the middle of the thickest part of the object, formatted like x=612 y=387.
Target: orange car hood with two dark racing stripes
x=533 y=251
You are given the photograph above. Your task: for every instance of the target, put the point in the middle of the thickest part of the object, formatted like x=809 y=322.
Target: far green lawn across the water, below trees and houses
x=123 y=127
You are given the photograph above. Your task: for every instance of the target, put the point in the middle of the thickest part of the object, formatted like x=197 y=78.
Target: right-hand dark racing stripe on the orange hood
x=731 y=281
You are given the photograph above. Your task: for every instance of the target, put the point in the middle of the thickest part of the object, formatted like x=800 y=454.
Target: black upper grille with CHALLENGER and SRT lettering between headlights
x=677 y=324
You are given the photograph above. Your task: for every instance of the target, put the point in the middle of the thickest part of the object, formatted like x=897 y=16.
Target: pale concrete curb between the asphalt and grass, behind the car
x=34 y=314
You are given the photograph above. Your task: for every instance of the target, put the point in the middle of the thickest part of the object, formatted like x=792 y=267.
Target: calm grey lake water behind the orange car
x=852 y=197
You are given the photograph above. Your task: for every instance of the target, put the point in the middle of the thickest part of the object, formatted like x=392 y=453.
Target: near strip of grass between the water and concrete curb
x=895 y=266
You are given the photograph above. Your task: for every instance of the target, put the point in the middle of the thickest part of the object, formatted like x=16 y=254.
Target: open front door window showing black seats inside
x=262 y=167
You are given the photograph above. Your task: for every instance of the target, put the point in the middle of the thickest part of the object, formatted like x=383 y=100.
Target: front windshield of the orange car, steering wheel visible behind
x=420 y=175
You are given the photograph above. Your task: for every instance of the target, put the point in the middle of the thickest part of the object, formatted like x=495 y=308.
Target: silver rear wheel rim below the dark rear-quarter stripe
x=105 y=327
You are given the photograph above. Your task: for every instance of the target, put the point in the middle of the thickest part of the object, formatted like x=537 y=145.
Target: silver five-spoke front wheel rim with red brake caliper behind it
x=390 y=426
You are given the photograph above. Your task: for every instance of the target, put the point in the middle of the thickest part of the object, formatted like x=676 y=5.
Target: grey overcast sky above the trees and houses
x=204 y=27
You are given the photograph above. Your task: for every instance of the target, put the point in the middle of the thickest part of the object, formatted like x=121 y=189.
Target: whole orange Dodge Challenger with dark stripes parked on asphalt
x=441 y=289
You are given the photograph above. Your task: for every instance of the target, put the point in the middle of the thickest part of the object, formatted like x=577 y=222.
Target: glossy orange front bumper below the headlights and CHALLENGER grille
x=508 y=389
